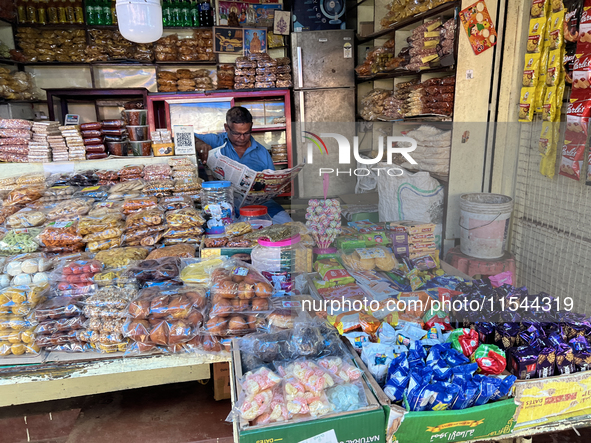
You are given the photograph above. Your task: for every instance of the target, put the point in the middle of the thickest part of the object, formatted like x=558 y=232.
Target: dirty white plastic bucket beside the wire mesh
x=484 y=222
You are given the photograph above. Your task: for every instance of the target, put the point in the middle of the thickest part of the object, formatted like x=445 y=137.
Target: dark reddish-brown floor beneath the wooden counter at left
x=179 y=413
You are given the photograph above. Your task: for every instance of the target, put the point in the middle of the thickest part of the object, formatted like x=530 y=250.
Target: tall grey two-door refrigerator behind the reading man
x=324 y=100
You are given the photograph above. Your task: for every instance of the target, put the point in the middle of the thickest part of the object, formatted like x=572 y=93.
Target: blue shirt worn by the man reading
x=256 y=158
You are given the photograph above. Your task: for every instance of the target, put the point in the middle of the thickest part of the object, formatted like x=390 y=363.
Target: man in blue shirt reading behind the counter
x=238 y=144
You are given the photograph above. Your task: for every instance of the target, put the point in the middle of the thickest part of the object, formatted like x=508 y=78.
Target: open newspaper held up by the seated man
x=250 y=187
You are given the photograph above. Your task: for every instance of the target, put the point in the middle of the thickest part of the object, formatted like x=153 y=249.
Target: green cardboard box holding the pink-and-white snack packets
x=364 y=425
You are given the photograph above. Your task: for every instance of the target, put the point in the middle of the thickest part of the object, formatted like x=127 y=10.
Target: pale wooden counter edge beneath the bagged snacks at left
x=60 y=378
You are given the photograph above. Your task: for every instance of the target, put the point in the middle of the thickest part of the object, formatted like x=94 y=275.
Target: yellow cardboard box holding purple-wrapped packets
x=551 y=399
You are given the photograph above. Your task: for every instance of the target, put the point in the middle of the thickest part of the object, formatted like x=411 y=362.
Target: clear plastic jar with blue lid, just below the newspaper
x=217 y=201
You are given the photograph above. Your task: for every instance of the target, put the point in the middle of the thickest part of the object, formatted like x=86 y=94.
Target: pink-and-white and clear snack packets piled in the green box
x=297 y=374
